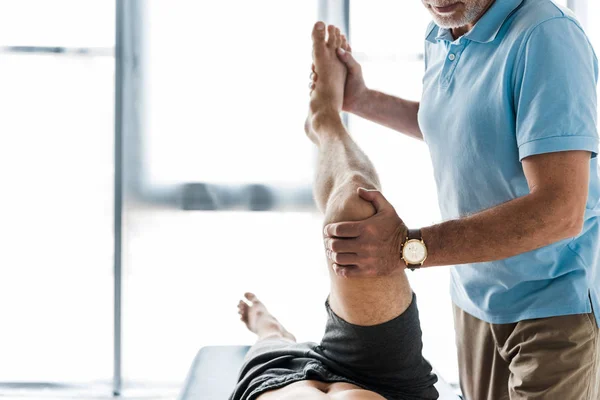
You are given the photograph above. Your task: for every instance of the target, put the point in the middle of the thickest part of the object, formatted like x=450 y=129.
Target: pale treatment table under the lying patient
x=214 y=373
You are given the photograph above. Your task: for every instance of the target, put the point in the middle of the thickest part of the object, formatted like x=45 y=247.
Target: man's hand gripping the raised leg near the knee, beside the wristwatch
x=371 y=247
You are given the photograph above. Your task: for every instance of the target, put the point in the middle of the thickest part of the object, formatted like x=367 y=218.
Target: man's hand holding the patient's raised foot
x=355 y=90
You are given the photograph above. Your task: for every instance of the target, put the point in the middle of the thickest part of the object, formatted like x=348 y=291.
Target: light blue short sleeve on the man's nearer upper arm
x=555 y=90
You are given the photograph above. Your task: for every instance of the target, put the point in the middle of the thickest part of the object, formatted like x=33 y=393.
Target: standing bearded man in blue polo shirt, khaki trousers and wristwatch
x=509 y=114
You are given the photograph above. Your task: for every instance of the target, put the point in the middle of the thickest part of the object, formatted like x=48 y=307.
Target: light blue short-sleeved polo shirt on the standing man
x=522 y=82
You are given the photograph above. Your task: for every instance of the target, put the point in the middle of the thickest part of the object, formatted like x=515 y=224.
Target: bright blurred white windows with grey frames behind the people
x=154 y=168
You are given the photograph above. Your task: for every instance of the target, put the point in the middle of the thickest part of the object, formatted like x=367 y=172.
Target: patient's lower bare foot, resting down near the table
x=259 y=320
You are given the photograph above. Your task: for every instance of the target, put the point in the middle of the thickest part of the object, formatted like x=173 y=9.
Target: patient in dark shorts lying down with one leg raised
x=372 y=348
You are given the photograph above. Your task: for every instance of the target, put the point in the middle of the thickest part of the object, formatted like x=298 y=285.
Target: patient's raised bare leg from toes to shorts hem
x=342 y=168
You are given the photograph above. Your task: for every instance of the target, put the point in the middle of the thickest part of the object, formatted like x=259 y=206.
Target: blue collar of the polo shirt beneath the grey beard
x=486 y=29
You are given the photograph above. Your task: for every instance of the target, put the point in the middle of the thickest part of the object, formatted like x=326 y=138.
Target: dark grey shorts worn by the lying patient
x=386 y=359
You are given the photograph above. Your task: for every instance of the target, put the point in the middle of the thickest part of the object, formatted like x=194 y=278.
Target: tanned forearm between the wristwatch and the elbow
x=504 y=231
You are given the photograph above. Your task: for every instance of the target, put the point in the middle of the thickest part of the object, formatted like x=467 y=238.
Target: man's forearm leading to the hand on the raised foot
x=393 y=112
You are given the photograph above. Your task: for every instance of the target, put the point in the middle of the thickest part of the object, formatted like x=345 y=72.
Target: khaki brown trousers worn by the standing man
x=547 y=358
